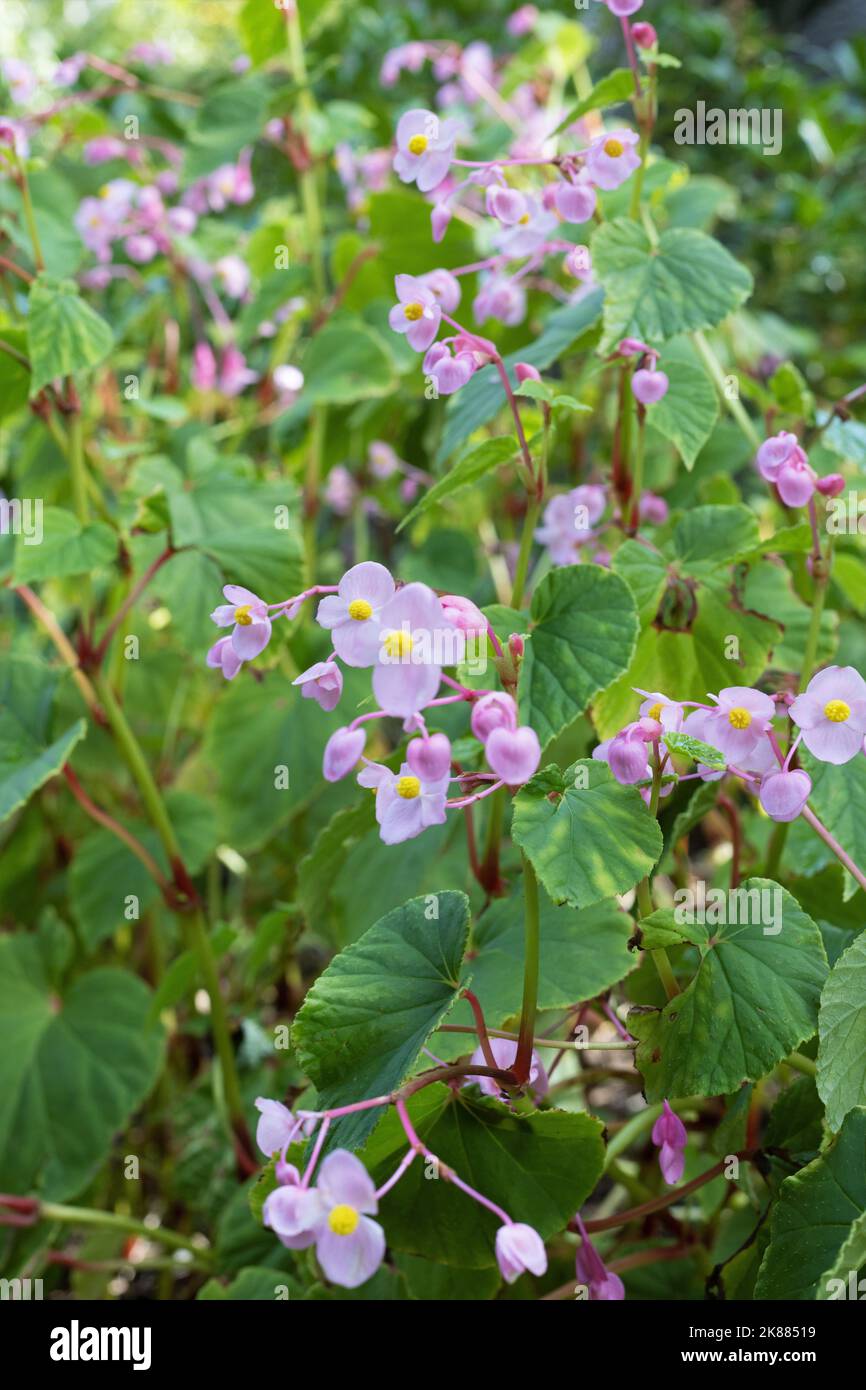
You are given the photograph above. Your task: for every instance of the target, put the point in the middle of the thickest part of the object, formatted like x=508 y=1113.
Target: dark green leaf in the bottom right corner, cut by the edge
x=814 y=1217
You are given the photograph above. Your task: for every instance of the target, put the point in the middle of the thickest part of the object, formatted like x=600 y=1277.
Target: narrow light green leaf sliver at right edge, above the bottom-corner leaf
x=842 y=1025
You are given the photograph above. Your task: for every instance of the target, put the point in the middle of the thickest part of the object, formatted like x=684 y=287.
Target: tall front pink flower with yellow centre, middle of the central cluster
x=414 y=640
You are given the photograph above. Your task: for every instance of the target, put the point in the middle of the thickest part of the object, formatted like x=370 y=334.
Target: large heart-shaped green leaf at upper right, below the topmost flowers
x=687 y=283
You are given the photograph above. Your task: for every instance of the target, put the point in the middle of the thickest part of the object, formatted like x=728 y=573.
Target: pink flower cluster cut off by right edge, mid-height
x=831 y=717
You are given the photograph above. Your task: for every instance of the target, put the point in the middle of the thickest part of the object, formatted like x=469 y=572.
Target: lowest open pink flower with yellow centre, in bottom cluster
x=350 y=1246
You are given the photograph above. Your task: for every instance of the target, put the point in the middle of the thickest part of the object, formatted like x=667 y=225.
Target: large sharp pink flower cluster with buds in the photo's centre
x=407 y=636
